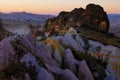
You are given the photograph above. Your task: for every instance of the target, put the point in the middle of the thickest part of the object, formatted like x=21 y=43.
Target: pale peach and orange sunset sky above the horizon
x=55 y=6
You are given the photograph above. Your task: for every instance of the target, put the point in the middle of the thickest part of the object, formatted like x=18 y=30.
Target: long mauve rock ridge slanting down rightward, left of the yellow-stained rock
x=41 y=51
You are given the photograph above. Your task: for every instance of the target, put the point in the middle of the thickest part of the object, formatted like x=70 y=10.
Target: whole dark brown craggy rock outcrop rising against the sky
x=93 y=17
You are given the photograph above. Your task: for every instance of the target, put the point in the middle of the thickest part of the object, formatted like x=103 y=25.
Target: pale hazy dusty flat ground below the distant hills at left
x=17 y=27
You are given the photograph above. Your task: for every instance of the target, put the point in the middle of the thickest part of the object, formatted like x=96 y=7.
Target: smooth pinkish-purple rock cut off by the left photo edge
x=6 y=51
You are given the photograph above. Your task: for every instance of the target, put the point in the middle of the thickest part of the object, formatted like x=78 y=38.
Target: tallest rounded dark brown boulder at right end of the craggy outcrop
x=96 y=18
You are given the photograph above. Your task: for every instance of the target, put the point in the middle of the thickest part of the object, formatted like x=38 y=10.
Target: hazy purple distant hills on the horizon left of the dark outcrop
x=26 y=17
